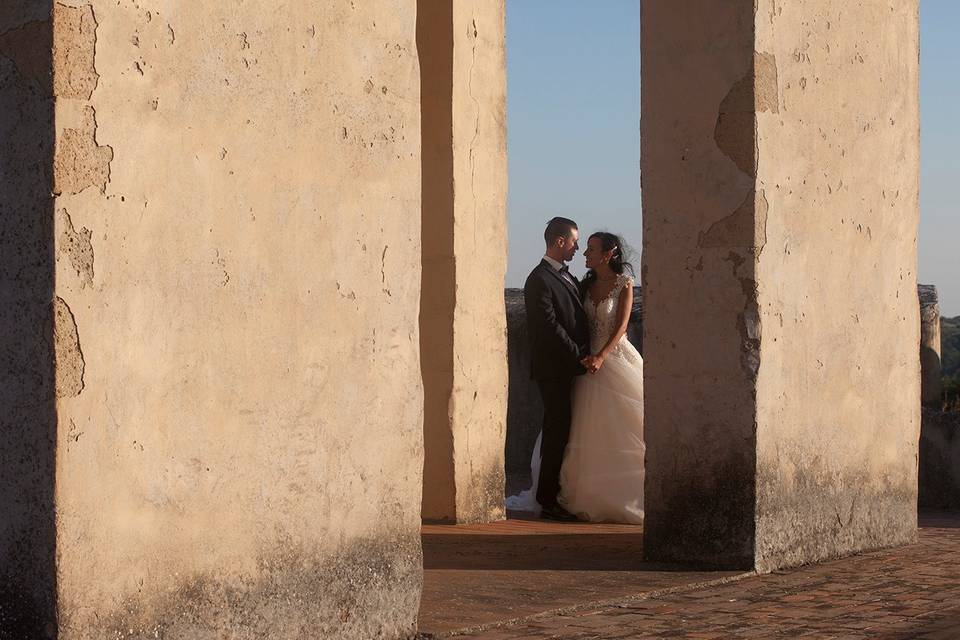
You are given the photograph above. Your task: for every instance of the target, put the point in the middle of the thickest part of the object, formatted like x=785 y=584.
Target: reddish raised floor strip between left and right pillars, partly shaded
x=483 y=574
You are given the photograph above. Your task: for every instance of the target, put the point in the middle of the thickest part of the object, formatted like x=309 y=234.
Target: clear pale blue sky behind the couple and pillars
x=574 y=140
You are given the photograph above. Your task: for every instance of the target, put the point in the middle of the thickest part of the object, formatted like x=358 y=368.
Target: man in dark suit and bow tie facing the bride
x=559 y=340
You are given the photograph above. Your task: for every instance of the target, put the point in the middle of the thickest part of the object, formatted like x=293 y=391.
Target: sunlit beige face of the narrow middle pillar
x=479 y=401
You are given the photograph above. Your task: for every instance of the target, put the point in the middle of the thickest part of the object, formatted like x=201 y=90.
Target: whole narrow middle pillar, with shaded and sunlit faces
x=462 y=321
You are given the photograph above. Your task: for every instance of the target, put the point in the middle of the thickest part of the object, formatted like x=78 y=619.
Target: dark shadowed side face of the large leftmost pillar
x=28 y=385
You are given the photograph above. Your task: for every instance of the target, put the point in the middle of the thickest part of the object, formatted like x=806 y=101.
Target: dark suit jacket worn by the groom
x=556 y=323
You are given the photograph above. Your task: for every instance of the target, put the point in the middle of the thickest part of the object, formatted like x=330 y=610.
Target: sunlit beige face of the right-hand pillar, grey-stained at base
x=839 y=383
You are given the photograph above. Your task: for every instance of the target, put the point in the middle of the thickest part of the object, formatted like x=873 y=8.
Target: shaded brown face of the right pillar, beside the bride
x=701 y=238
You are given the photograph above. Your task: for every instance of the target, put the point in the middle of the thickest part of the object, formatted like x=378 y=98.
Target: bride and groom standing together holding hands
x=588 y=461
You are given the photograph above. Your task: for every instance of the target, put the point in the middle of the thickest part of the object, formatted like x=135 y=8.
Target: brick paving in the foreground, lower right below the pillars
x=909 y=592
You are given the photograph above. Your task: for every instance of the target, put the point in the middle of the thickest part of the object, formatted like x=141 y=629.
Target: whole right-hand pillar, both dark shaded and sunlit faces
x=779 y=252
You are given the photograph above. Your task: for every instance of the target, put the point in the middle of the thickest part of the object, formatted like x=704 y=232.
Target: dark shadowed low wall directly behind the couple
x=524 y=409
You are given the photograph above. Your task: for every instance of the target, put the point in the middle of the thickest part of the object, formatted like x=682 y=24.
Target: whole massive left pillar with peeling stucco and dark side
x=215 y=327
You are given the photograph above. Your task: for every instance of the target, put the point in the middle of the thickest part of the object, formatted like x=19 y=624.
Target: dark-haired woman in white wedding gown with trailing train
x=602 y=475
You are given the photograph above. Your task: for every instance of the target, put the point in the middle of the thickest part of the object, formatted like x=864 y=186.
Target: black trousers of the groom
x=556 y=433
